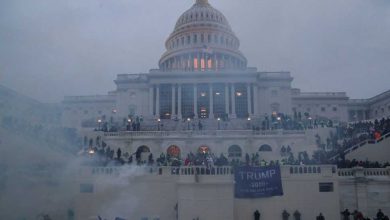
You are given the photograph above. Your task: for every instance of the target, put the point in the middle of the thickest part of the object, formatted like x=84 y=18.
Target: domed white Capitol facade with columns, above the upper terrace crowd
x=204 y=75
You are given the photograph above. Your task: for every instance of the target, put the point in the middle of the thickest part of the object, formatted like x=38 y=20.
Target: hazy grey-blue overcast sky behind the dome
x=49 y=49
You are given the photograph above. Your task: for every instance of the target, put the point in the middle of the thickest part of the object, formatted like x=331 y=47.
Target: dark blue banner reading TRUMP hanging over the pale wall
x=257 y=182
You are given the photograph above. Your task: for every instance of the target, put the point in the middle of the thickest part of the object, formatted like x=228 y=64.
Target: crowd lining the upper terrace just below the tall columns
x=267 y=122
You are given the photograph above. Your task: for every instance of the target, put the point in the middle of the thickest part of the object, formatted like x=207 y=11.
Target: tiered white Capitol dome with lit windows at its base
x=202 y=41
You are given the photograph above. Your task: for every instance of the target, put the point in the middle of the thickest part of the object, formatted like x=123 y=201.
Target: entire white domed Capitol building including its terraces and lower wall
x=203 y=98
